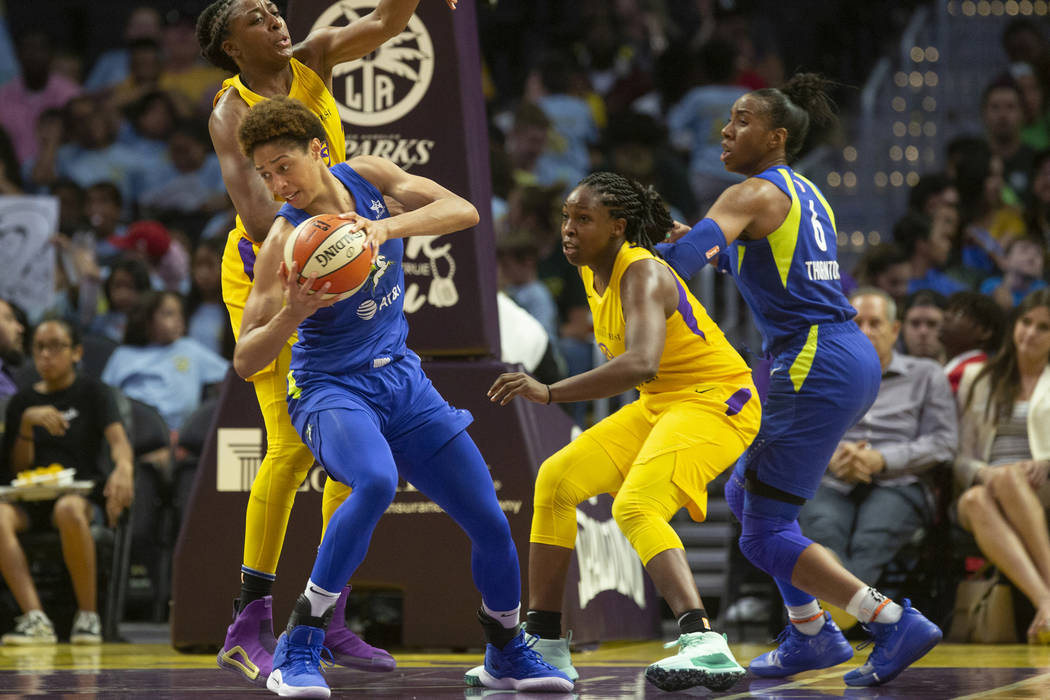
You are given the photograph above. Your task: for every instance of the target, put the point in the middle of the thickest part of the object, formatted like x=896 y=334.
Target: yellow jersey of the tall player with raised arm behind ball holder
x=239 y=259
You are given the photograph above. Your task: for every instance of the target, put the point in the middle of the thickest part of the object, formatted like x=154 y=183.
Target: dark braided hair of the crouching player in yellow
x=648 y=220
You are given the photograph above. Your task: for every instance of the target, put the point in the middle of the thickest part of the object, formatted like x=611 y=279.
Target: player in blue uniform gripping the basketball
x=359 y=396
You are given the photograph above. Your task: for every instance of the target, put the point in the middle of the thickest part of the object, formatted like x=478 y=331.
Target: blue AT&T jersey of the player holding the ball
x=364 y=330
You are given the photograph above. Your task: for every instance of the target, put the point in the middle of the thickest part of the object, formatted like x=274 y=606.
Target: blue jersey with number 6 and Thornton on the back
x=790 y=279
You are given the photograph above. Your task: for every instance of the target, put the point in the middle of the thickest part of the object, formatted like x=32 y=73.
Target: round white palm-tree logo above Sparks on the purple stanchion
x=387 y=84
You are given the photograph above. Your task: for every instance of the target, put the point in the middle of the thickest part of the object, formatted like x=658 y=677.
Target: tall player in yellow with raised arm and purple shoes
x=250 y=39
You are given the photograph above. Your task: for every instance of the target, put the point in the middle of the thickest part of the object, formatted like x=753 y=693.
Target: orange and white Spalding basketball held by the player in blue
x=325 y=245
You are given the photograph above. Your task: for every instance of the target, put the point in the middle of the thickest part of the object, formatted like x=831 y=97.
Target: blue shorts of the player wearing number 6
x=822 y=385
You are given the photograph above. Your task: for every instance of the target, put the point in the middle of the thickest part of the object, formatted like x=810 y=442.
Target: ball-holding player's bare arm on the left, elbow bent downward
x=277 y=306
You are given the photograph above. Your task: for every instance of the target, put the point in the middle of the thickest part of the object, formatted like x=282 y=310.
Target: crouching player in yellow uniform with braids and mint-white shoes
x=697 y=414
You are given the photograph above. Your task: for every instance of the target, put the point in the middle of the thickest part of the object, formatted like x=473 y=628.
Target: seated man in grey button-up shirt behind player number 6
x=874 y=498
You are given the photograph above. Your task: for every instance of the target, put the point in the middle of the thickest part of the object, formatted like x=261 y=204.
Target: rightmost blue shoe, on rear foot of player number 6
x=897 y=646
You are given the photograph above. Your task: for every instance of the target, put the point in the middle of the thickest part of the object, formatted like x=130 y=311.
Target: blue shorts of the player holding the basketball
x=398 y=398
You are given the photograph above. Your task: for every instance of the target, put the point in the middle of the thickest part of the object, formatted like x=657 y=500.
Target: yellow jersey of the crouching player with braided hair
x=696 y=351
